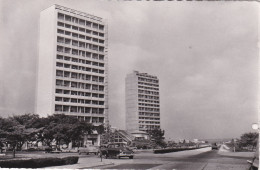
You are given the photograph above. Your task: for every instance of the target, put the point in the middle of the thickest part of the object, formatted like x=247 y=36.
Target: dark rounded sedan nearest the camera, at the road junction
x=117 y=150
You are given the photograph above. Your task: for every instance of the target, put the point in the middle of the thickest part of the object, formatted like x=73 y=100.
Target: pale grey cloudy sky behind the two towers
x=205 y=55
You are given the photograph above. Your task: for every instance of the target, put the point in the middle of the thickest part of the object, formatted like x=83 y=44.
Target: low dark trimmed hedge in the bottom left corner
x=39 y=162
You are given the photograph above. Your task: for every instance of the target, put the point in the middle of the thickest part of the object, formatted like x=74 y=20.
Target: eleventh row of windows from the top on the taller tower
x=81 y=101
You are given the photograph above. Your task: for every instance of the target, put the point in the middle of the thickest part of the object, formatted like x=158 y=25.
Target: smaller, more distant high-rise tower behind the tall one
x=142 y=102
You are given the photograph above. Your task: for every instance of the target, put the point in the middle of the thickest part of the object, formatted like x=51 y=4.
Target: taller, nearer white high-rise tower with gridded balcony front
x=72 y=66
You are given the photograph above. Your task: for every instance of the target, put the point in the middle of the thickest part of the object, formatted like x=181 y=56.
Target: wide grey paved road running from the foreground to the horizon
x=205 y=160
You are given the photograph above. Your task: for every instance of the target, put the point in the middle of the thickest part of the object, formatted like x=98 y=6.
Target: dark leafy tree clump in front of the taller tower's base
x=17 y=130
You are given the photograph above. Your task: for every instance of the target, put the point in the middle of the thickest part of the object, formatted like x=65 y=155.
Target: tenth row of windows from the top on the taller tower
x=79 y=93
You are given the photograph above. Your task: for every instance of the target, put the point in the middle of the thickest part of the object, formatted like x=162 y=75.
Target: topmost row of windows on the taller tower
x=80 y=21
